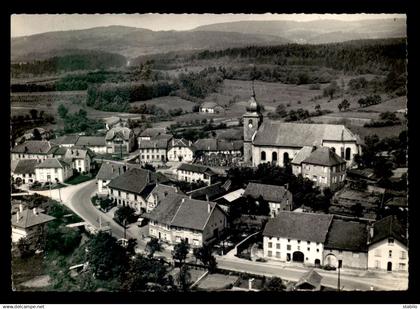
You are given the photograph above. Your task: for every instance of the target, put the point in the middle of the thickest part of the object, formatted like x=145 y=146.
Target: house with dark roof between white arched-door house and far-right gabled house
x=346 y=245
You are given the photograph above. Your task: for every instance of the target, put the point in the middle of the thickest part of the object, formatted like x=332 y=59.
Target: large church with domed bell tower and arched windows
x=279 y=142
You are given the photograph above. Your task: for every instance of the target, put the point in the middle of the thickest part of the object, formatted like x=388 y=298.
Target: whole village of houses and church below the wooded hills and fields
x=285 y=206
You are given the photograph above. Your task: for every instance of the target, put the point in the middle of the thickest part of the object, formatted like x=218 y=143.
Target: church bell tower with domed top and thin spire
x=252 y=120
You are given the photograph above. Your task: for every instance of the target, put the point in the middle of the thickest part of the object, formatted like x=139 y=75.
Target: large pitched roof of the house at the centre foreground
x=178 y=210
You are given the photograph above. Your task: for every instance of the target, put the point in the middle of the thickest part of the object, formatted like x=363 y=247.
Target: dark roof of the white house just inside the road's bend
x=133 y=180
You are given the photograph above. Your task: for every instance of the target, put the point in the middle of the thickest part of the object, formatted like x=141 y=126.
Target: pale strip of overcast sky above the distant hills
x=27 y=24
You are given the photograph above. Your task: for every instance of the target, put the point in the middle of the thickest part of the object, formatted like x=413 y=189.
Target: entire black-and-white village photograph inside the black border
x=207 y=152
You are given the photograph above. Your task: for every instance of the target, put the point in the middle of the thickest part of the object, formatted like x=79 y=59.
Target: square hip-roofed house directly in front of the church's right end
x=321 y=165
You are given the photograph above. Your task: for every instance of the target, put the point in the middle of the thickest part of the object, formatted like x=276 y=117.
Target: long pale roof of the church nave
x=273 y=133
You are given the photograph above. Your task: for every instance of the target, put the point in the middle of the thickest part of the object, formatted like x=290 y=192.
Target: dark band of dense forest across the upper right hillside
x=367 y=56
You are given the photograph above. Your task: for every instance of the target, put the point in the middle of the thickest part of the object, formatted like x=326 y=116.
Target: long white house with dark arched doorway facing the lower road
x=296 y=237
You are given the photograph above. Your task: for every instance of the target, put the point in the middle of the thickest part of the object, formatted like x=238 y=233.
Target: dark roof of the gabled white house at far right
x=389 y=227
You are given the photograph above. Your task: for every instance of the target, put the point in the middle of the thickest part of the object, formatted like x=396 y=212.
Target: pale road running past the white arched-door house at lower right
x=348 y=282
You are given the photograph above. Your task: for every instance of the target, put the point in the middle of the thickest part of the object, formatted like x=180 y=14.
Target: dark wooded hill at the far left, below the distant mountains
x=82 y=60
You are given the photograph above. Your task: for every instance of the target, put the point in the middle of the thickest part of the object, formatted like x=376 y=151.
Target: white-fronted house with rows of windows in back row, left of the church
x=154 y=150
